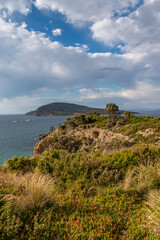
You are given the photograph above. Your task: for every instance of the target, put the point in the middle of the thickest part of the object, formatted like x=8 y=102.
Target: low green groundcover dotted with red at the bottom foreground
x=113 y=215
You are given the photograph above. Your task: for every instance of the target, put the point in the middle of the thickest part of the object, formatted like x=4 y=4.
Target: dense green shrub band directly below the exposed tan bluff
x=99 y=169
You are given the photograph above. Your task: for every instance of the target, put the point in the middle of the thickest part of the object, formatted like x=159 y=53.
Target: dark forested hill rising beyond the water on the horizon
x=61 y=109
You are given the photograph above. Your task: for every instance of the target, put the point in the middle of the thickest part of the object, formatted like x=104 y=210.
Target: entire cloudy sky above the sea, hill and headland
x=86 y=52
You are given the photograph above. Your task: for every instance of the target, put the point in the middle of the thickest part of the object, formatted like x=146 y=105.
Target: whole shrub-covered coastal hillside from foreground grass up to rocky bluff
x=86 y=180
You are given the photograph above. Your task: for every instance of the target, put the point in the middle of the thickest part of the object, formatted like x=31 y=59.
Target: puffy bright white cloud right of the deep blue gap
x=138 y=27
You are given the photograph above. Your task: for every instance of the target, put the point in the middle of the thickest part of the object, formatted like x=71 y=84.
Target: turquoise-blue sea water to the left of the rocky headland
x=18 y=133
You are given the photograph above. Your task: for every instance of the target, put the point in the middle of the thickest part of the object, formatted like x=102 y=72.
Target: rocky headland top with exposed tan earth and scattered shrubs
x=91 y=133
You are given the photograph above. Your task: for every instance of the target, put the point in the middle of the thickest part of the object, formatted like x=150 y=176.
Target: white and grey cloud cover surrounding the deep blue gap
x=31 y=64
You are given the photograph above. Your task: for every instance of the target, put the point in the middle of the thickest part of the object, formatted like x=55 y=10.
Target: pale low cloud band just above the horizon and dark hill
x=90 y=96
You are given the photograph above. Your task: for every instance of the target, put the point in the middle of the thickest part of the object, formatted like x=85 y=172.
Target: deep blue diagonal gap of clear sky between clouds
x=46 y=21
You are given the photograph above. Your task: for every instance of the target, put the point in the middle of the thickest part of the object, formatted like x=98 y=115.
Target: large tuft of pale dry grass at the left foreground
x=35 y=190
